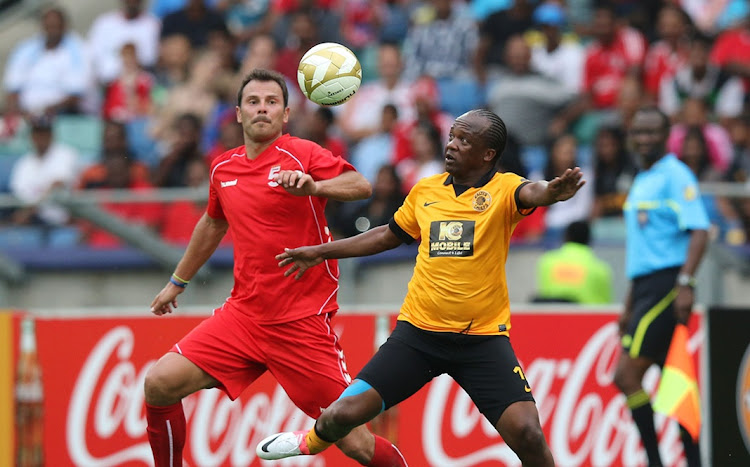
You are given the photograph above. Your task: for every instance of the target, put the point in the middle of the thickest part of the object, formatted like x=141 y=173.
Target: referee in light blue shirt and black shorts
x=667 y=231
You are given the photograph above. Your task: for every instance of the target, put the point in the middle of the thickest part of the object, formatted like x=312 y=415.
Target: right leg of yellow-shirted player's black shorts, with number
x=489 y=372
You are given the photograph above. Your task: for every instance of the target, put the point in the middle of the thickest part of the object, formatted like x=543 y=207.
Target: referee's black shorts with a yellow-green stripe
x=652 y=321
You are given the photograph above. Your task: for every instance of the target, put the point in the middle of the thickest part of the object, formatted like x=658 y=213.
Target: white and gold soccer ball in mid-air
x=329 y=74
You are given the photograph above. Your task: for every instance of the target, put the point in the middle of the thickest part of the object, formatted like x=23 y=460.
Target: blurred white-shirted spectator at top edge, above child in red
x=110 y=31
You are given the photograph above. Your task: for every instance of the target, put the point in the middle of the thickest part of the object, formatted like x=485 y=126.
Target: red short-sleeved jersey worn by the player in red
x=265 y=219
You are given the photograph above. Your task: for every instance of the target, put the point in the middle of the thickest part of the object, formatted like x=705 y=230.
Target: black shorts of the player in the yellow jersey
x=484 y=366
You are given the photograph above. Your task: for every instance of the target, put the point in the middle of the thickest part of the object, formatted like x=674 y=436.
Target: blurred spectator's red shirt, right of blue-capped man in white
x=606 y=67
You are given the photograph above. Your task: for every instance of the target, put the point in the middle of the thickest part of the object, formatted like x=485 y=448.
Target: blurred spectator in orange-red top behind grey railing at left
x=118 y=171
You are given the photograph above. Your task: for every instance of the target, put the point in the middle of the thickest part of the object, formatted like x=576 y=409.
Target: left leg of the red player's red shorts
x=226 y=347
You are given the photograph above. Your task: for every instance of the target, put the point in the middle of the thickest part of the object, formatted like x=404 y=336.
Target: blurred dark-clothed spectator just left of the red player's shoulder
x=172 y=170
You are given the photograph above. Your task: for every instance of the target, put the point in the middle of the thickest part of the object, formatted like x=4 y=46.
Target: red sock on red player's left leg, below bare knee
x=166 y=434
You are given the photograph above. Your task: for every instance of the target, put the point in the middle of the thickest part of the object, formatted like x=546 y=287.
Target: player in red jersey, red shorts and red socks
x=273 y=192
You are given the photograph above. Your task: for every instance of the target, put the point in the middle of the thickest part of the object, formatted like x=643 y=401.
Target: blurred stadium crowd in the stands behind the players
x=152 y=86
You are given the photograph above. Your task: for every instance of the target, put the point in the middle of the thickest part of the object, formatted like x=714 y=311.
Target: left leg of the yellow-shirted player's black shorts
x=401 y=367
